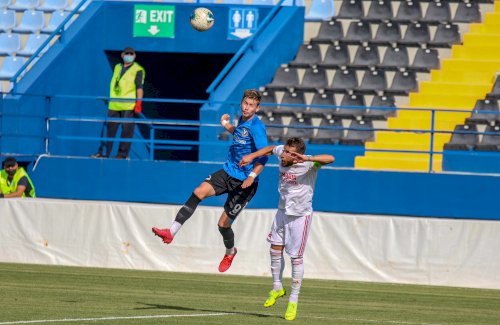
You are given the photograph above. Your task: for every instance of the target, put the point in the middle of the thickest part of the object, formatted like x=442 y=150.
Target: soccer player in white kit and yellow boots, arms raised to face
x=292 y=222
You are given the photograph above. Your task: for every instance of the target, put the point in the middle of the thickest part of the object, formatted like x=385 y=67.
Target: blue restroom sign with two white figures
x=243 y=22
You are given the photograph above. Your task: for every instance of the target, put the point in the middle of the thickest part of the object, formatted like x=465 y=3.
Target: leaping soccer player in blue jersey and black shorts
x=239 y=182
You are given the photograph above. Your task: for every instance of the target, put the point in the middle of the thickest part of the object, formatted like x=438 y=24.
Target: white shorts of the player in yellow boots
x=291 y=232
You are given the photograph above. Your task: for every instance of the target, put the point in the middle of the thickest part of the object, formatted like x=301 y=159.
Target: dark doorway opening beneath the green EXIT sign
x=175 y=76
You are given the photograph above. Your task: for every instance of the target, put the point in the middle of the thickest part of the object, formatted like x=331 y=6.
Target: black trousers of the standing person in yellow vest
x=127 y=133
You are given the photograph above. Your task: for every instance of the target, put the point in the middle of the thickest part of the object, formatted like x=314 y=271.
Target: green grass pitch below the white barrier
x=37 y=294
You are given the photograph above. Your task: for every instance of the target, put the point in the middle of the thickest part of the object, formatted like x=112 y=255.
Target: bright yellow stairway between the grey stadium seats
x=463 y=79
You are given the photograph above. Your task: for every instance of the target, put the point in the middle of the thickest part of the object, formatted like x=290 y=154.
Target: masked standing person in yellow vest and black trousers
x=127 y=83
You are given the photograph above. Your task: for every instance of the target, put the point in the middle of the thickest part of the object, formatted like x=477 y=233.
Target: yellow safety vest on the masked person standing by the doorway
x=124 y=87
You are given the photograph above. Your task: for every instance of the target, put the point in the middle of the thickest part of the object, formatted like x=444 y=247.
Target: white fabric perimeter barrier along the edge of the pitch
x=432 y=251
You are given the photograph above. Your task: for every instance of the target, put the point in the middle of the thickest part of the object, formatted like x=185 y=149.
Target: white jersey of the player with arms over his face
x=296 y=186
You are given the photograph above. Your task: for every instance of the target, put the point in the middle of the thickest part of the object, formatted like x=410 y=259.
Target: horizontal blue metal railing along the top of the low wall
x=154 y=143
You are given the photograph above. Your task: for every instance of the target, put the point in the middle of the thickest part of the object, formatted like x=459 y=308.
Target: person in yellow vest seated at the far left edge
x=14 y=181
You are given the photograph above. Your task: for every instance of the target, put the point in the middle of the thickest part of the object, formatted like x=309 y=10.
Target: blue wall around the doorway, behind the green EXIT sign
x=77 y=65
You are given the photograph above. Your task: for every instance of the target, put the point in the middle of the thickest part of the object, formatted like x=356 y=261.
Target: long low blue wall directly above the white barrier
x=345 y=191
